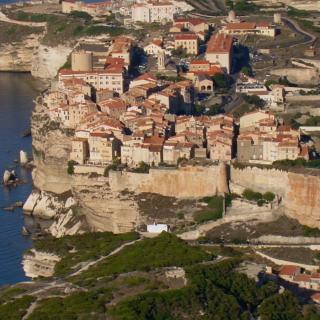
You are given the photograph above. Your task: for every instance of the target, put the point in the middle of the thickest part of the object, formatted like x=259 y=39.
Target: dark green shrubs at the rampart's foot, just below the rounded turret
x=214 y=211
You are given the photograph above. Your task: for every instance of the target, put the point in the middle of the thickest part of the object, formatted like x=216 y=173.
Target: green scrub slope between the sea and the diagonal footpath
x=80 y=248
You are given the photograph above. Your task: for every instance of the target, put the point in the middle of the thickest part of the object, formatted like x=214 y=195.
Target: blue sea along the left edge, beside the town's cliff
x=17 y=92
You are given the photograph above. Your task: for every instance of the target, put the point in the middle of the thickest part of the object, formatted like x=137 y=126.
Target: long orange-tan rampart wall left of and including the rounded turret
x=185 y=182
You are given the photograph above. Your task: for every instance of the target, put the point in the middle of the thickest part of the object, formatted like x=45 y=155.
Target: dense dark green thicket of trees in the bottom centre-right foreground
x=218 y=291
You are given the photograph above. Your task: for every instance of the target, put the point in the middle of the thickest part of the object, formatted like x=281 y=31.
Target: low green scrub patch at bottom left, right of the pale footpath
x=82 y=305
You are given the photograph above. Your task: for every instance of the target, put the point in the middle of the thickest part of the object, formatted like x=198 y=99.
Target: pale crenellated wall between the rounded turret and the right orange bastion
x=262 y=180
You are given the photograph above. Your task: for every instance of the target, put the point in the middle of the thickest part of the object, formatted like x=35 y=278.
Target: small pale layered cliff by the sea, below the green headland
x=36 y=263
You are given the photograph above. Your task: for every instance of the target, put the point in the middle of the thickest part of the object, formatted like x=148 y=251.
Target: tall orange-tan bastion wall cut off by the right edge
x=302 y=200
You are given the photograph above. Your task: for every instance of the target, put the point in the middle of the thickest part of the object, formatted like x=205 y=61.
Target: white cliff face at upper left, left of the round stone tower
x=47 y=61
